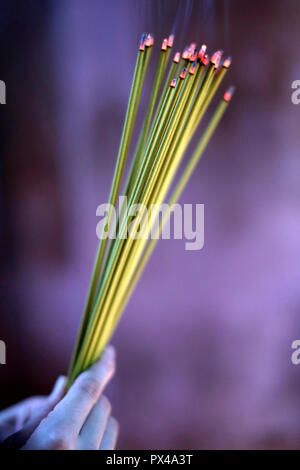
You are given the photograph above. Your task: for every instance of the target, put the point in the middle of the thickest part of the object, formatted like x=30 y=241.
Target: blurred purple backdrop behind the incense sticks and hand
x=204 y=348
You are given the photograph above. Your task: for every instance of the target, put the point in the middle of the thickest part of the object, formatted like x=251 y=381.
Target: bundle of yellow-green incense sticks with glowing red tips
x=181 y=94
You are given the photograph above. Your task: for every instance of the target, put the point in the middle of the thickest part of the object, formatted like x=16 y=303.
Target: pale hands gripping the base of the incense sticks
x=80 y=420
